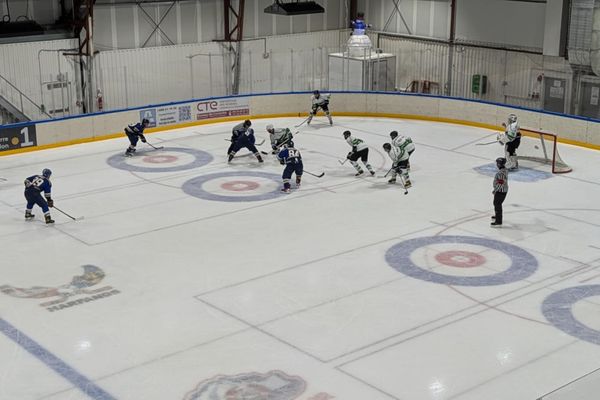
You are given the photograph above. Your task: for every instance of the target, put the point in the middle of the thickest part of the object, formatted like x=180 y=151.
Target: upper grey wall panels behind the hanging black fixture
x=124 y=24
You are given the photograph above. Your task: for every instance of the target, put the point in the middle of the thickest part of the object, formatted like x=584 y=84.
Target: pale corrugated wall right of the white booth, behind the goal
x=512 y=77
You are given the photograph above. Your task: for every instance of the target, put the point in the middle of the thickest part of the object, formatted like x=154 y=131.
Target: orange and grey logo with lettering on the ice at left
x=79 y=285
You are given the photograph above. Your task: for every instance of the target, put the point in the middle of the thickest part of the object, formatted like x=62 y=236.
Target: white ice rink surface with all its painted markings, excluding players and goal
x=192 y=279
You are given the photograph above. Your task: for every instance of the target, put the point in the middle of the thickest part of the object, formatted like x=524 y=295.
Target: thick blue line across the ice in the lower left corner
x=69 y=373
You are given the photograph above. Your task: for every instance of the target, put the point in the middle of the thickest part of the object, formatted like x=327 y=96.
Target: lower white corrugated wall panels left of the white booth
x=138 y=77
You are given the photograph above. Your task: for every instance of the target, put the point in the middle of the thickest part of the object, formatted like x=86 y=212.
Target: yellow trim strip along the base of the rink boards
x=281 y=115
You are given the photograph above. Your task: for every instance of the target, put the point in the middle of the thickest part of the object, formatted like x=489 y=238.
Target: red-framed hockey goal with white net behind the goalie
x=542 y=147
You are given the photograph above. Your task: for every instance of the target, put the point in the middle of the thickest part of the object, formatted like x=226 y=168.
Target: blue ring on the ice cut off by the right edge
x=558 y=310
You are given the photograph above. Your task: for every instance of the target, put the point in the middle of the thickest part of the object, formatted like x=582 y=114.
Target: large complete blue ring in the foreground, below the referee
x=523 y=264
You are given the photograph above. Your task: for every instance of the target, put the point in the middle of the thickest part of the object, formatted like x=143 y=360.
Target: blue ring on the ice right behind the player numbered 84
x=194 y=187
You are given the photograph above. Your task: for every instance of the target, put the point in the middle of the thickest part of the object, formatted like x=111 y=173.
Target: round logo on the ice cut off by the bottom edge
x=274 y=385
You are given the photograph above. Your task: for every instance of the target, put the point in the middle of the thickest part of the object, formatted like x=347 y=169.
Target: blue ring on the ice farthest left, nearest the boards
x=201 y=158
